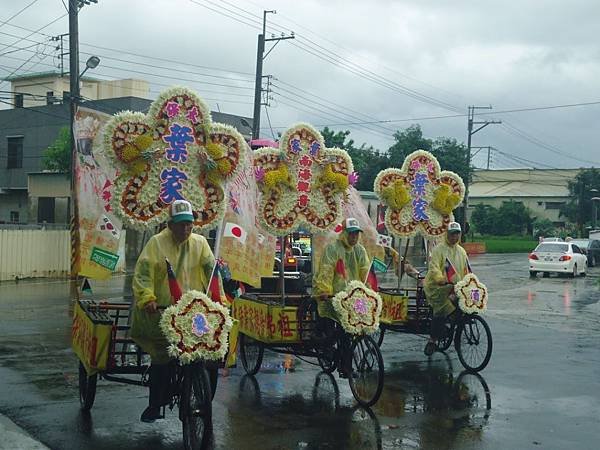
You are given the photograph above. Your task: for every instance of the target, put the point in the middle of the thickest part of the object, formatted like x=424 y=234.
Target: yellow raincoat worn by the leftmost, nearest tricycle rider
x=192 y=262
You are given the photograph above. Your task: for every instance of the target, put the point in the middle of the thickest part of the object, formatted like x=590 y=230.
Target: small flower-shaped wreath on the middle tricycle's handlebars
x=358 y=308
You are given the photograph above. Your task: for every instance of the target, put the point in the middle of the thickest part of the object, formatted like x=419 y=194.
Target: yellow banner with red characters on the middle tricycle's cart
x=266 y=323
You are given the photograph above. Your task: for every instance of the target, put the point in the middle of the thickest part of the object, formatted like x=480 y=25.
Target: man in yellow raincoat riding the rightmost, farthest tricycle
x=448 y=265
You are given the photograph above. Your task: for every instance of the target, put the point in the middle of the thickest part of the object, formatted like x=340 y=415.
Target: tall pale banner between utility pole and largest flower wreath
x=98 y=227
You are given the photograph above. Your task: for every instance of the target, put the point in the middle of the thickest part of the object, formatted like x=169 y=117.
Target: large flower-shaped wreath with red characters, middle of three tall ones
x=302 y=182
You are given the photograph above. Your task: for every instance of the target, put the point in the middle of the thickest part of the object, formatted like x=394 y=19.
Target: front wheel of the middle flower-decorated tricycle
x=366 y=374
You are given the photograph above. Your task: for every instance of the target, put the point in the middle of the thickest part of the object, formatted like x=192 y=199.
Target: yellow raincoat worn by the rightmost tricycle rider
x=437 y=295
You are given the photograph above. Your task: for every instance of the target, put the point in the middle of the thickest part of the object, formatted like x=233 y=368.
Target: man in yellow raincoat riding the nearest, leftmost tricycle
x=193 y=262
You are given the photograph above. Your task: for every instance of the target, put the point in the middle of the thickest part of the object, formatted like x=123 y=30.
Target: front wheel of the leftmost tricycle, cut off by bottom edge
x=196 y=407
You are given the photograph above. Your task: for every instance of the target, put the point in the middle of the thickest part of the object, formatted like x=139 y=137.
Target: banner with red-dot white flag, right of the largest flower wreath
x=248 y=251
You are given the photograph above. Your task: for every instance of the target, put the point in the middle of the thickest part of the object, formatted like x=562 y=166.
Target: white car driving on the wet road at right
x=557 y=257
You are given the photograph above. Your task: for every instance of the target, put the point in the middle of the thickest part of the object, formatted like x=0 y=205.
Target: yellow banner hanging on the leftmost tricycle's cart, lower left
x=90 y=341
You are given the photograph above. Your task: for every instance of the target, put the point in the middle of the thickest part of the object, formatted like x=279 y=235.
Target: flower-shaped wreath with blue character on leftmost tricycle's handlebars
x=196 y=328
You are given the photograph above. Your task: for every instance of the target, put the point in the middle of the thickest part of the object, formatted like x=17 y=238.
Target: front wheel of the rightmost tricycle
x=473 y=343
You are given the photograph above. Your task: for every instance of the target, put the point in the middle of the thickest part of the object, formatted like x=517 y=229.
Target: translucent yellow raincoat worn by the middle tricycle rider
x=333 y=275
